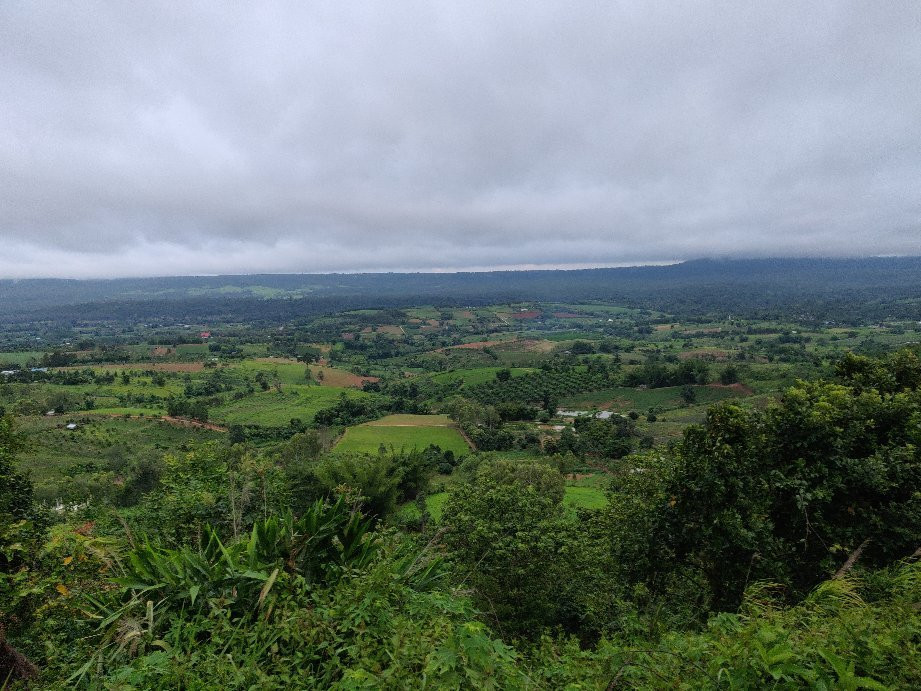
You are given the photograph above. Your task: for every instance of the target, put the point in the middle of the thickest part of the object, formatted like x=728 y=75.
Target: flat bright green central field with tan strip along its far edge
x=404 y=432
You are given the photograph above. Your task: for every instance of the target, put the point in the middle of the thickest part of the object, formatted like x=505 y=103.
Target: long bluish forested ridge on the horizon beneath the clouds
x=824 y=288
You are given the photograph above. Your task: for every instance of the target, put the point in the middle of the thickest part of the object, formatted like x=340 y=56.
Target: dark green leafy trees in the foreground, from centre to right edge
x=826 y=477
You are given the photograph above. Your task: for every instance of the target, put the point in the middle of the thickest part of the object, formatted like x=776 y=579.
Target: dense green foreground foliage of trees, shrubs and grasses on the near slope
x=773 y=547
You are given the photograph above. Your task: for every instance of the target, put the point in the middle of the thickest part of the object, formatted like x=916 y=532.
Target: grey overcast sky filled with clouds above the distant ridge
x=189 y=138
